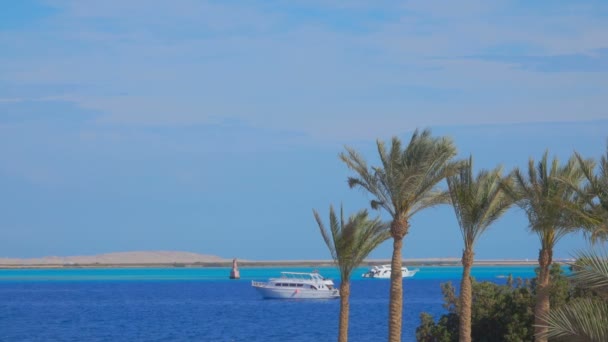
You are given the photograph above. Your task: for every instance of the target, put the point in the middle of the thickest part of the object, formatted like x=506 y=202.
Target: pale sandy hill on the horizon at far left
x=136 y=257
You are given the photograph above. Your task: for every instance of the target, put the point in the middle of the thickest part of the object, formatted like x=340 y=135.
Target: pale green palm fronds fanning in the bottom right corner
x=584 y=319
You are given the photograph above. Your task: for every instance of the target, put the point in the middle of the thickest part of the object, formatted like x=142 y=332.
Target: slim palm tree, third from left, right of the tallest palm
x=478 y=202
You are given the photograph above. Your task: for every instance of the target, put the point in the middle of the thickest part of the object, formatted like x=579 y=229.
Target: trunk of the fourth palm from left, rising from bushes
x=542 y=294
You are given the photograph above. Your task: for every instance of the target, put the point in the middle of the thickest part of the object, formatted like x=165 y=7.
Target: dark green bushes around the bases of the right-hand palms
x=499 y=313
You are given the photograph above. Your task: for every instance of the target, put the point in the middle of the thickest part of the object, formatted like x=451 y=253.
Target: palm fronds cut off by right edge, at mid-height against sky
x=597 y=195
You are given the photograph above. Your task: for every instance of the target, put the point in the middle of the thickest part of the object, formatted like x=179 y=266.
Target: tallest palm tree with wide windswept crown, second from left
x=403 y=185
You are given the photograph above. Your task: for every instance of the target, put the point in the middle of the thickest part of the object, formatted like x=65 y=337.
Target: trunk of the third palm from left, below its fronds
x=466 y=297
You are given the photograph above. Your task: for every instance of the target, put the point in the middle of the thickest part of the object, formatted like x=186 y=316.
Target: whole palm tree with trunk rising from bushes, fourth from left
x=548 y=196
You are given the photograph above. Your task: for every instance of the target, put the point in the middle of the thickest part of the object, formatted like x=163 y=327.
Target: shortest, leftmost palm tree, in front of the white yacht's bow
x=349 y=243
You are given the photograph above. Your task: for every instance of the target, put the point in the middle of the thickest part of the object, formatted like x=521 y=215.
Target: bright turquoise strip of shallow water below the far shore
x=212 y=274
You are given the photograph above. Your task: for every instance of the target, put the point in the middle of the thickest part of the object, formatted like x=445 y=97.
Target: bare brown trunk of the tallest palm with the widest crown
x=396 y=296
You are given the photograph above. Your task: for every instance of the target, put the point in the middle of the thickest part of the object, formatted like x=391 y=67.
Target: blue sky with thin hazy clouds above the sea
x=215 y=127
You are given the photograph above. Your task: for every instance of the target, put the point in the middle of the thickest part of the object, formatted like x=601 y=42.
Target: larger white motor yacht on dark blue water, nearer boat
x=294 y=285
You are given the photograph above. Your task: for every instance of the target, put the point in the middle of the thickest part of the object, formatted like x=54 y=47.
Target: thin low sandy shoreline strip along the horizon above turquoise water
x=279 y=263
